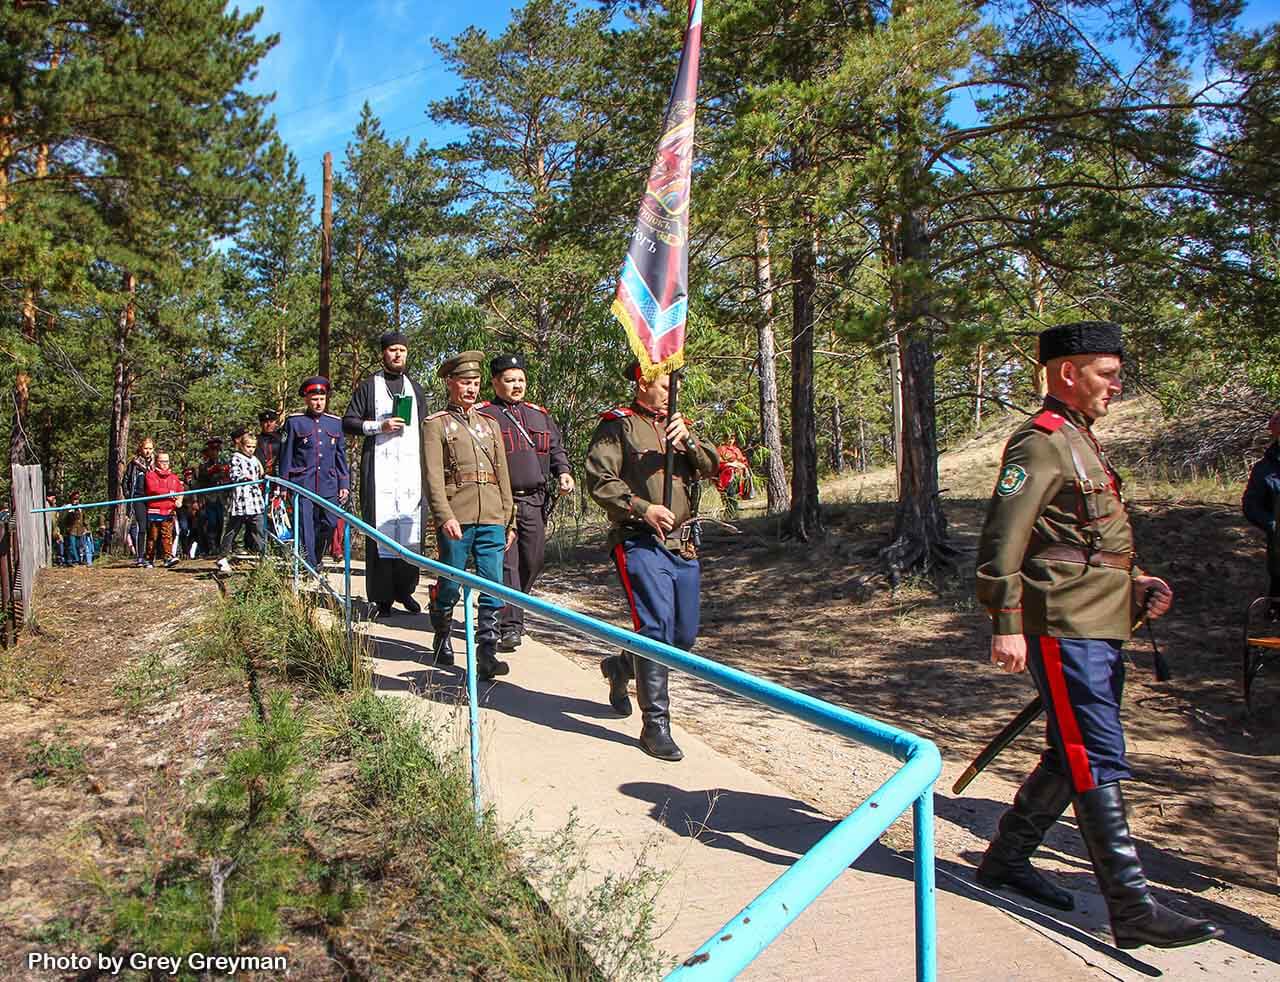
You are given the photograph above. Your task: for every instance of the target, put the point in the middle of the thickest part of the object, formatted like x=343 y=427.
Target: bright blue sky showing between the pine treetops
x=333 y=57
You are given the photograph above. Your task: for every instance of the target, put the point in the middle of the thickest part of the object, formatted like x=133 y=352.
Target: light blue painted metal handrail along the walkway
x=735 y=946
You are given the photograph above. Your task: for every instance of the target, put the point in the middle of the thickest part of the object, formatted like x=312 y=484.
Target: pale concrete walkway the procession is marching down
x=552 y=750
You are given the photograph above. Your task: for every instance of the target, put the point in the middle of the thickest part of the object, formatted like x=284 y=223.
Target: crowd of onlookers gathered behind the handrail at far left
x=175 y=524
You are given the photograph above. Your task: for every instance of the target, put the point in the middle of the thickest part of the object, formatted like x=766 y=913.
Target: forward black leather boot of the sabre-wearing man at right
x=1137 y=917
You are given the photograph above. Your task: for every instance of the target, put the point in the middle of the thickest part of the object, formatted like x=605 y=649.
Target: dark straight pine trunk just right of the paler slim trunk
x=804 y=523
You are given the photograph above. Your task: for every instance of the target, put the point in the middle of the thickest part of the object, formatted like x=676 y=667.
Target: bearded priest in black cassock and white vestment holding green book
x=391 y=473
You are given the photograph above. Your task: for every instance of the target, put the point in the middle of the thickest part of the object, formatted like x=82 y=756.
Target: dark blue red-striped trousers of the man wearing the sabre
x=1081 y=682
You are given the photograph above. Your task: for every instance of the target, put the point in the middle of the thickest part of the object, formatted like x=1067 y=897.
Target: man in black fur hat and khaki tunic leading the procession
x=1057 y=574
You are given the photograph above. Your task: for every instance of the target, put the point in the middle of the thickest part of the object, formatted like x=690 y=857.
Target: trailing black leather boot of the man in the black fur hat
x=1008 y=862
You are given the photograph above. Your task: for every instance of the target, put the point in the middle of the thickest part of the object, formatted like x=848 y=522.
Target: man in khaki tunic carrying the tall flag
x=652 y=550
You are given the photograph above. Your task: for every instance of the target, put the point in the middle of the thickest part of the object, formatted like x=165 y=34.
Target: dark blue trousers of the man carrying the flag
x=662 y=591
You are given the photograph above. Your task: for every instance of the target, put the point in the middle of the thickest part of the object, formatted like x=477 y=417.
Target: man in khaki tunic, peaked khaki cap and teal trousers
x=469 y=492
